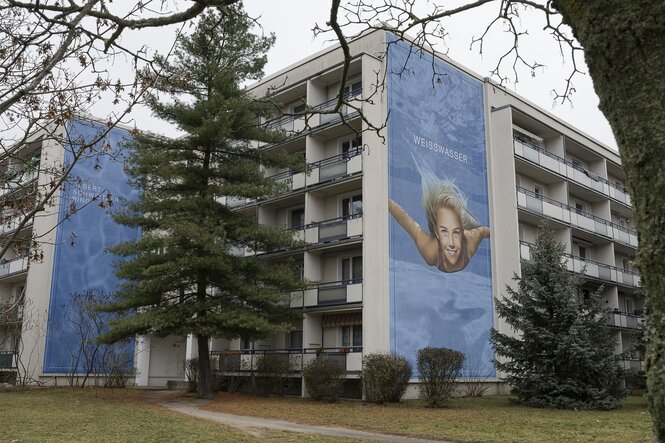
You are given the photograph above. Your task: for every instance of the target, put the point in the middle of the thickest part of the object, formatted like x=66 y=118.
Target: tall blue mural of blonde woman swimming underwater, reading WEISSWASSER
x=440 y=261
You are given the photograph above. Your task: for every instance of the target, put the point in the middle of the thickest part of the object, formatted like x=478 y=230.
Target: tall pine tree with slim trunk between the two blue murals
x=185 y=275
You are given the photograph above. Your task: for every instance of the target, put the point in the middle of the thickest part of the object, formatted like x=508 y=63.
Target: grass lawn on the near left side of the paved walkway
x=105 y=415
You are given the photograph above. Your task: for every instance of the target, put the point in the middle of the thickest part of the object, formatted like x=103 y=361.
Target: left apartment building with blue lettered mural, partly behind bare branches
x=59 y=254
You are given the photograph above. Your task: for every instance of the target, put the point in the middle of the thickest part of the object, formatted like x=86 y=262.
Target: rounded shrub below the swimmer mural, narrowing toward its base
x=438 y=368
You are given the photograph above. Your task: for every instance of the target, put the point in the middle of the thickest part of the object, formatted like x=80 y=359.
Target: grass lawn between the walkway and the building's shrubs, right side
x=493 y=419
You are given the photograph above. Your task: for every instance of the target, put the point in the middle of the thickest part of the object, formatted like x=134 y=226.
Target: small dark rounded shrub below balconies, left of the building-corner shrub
x=323 y=378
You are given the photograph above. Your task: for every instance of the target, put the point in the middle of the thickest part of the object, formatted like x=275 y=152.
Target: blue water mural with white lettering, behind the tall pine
x=85 y=229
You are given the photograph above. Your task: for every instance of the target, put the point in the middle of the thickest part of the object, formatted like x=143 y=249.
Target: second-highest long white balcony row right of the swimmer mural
x=572 y=216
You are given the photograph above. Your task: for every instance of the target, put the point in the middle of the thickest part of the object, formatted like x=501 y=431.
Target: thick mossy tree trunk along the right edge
x=625 y=52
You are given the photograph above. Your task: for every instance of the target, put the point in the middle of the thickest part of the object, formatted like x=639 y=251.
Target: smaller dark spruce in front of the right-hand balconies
x=562 y=352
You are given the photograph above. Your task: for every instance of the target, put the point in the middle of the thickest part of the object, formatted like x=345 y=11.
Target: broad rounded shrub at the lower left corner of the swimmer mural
x=385 y=377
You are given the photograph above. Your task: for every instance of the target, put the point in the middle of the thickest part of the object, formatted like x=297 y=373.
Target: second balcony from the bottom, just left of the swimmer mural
x=329 y=294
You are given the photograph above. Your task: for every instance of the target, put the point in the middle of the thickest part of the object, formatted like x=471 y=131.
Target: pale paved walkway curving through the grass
x=251 y=423
